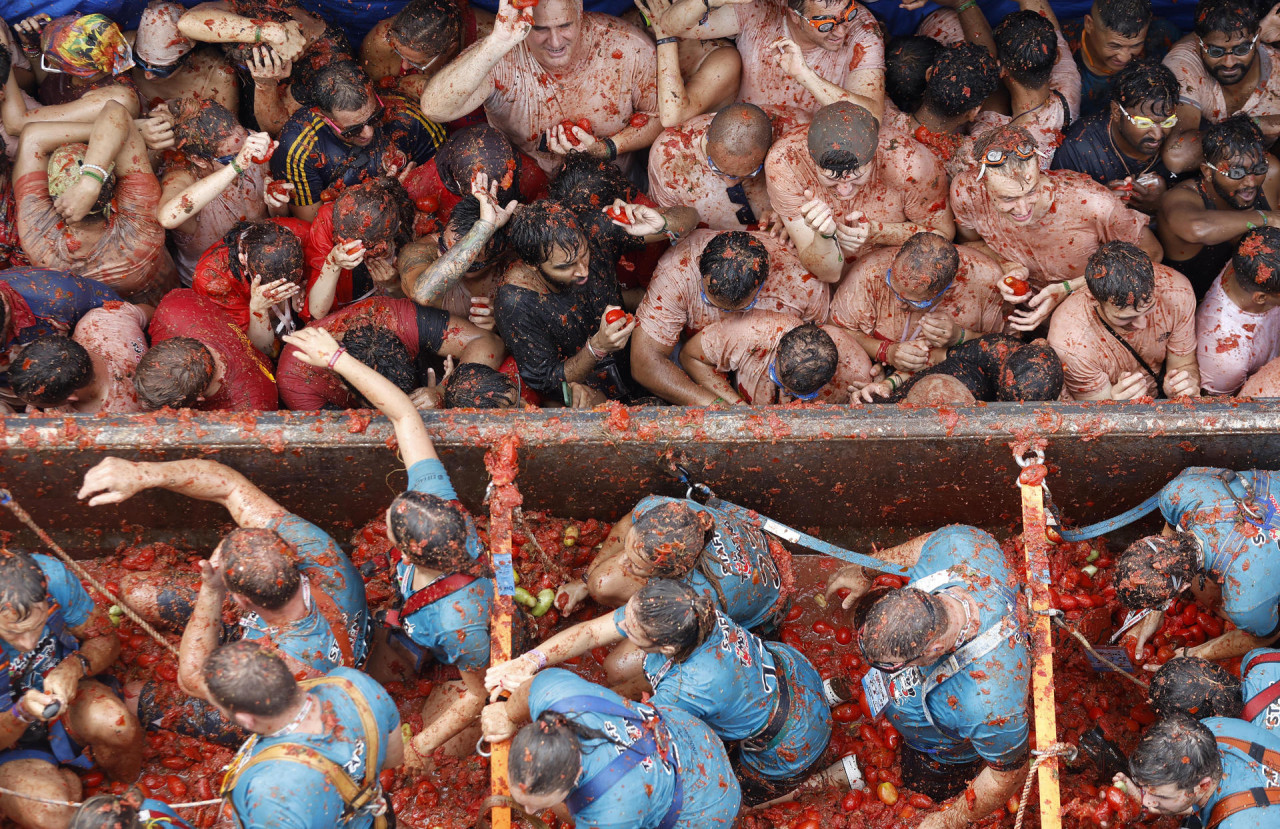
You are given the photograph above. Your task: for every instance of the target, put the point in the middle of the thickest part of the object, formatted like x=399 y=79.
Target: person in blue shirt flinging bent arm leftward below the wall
x=294 y=587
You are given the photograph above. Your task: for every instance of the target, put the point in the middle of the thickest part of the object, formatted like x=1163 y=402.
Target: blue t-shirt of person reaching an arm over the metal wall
x=456 y=628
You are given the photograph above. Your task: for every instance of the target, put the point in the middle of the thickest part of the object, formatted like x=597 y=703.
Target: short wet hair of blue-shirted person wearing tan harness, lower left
x=246 y=679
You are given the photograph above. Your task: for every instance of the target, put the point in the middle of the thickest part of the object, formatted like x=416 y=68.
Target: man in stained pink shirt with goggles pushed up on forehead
x=1041 y=228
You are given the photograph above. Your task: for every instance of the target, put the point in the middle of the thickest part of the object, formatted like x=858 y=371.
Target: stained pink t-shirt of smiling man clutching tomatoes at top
x=616 y=77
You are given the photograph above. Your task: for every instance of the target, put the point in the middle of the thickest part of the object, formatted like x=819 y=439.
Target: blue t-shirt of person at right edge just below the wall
x=1247 y=565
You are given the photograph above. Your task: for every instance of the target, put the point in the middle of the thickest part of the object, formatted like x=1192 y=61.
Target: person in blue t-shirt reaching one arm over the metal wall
x=444 y=580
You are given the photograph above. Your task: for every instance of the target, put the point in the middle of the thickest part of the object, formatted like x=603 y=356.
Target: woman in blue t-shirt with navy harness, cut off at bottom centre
x=612 y=763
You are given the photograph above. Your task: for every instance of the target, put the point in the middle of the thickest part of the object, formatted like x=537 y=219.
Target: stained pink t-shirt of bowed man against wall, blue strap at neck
x=748 y=345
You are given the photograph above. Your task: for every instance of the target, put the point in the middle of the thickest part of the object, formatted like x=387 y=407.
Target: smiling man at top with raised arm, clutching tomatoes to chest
x=545 y=67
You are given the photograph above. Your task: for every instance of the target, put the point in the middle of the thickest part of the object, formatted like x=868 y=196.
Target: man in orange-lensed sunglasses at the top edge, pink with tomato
x=801 y=56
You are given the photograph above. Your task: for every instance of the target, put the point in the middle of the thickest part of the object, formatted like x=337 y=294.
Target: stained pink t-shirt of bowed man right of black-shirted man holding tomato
x=674 y=301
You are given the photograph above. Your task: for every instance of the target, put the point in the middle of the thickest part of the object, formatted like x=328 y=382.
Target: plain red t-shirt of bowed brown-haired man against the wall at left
x=249 y=384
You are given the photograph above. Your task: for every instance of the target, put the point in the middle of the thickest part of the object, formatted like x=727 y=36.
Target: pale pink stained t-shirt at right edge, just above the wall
x=1233 y=343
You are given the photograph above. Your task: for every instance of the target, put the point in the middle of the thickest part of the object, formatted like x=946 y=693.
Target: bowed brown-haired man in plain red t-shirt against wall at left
x=202 y=360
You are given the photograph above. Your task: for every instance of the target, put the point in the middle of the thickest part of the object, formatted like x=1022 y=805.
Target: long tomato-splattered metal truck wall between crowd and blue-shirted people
x=853 y=474
